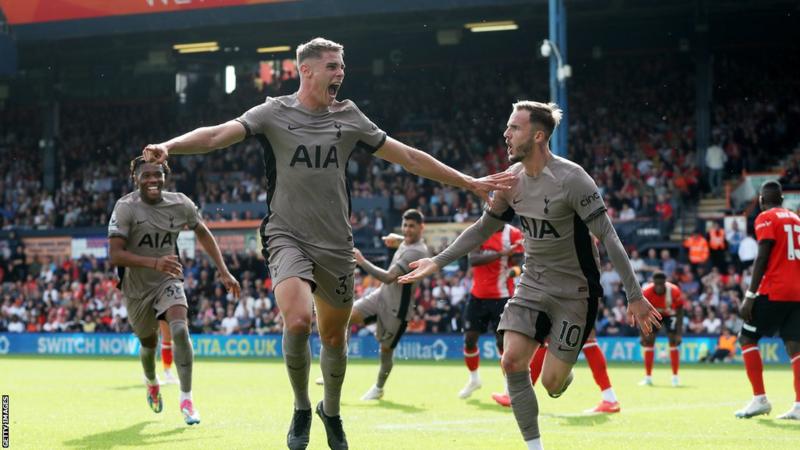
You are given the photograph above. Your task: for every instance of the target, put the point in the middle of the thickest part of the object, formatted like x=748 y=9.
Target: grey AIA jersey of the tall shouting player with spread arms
x=306 y=155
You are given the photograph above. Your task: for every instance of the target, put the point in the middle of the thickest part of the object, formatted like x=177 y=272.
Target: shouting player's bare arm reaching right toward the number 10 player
x=424 y=165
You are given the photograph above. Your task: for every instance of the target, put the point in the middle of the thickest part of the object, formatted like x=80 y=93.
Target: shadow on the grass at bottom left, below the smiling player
x=130 y=436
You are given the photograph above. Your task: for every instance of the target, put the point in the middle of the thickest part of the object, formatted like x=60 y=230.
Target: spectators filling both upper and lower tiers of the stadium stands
x=642 y=156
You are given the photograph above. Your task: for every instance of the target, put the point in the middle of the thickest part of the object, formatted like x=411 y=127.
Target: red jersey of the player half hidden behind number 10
x=491 y=281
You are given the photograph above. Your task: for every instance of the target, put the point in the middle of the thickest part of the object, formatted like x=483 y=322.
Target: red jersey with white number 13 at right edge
x=780 y=282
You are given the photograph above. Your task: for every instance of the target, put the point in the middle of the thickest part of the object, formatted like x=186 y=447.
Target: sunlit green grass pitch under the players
x=100 y=403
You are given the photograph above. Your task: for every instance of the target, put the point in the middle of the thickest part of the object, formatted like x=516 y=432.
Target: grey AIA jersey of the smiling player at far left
x=150 y=230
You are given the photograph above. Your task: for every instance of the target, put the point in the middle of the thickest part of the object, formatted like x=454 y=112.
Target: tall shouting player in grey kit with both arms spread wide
x=308 y=138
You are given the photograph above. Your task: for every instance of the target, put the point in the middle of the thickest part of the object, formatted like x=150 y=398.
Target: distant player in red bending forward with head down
x=668 y=300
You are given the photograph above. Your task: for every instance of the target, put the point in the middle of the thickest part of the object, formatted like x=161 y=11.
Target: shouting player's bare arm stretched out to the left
x=200 y=140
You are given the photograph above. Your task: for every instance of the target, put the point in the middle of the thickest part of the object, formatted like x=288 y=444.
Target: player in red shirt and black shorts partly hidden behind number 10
x=491 y=288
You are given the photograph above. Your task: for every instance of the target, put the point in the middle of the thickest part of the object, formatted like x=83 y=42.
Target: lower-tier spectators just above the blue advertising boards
x=81 y=295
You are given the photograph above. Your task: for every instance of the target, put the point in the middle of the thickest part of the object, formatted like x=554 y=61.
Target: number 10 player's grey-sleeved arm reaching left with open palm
x=472 y=237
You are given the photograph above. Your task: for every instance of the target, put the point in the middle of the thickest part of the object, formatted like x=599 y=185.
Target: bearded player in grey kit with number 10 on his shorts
x=558 y=204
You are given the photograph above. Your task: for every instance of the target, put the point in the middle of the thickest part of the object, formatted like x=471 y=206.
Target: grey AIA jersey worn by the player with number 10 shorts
x=561 y=258
